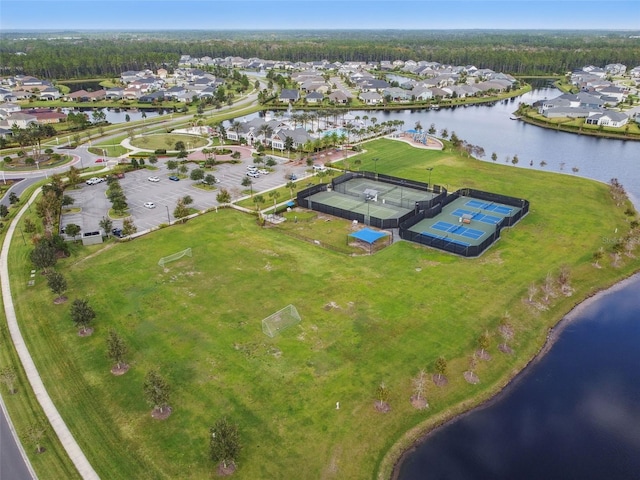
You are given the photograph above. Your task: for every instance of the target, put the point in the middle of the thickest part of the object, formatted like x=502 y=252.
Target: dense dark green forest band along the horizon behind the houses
x=517 y=52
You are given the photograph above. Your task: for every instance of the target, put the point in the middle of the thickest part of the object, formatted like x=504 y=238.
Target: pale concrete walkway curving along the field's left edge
x=62 y=431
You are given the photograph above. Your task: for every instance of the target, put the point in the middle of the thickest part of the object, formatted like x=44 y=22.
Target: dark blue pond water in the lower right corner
x=575 y=414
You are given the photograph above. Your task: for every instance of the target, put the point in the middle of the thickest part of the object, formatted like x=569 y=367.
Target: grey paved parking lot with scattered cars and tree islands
x=165 y=193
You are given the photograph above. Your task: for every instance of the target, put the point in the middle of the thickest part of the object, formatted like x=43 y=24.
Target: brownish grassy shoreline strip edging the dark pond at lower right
x=552 y=337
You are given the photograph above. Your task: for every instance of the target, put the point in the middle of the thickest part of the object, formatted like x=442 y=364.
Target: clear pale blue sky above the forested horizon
x=310 y=14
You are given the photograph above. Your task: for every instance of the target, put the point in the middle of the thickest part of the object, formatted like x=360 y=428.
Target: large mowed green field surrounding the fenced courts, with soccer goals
x=365 y=320
